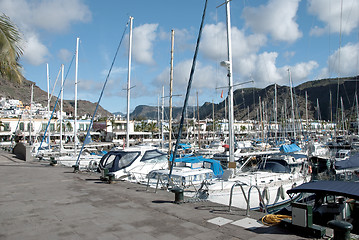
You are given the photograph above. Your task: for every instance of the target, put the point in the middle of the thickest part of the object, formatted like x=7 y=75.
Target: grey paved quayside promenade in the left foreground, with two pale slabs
x=39 y=201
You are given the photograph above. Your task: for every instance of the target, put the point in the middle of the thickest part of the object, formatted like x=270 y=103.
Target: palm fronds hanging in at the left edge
x=10 y=50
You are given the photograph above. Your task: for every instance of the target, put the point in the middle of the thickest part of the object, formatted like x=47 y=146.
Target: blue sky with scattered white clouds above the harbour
x=313 y=39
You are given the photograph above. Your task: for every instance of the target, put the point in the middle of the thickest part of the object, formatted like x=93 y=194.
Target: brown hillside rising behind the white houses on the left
x=22 y=91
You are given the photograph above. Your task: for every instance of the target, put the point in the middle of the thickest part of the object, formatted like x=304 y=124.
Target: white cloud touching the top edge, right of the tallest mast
x=276 y=18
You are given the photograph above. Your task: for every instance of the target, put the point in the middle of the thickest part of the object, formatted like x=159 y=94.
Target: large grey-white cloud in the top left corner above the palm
x=52 y=15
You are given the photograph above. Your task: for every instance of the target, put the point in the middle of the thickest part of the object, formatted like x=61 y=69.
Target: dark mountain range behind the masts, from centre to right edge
x=246 y=100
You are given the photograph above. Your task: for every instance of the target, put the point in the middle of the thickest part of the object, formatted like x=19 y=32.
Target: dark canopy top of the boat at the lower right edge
x=338 y=188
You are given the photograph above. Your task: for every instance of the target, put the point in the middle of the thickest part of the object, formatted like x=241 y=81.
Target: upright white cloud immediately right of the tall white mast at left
x=143 y=37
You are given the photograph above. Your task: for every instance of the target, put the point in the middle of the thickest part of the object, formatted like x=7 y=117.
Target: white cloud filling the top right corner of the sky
x=329 y=12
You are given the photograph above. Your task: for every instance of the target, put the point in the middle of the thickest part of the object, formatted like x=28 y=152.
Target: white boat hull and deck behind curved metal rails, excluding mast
x=261 y=186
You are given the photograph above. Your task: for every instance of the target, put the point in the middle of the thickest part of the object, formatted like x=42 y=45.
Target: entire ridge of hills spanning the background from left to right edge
x=246 y=101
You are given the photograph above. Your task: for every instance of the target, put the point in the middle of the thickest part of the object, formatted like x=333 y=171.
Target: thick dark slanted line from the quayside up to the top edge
x=187 y=93
